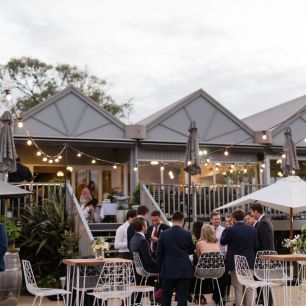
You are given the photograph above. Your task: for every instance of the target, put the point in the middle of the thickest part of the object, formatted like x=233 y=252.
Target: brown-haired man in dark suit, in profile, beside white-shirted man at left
x=140 y=244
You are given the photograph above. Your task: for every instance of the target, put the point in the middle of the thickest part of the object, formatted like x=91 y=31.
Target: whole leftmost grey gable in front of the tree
x=70 y=114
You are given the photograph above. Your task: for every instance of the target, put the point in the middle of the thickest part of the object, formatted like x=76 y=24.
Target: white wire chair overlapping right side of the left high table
x=115 y=282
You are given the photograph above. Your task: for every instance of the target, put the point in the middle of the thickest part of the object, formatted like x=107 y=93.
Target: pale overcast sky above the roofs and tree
x=248 y=55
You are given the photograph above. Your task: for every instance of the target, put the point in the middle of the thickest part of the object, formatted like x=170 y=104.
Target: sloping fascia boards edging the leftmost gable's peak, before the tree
x=71 y=89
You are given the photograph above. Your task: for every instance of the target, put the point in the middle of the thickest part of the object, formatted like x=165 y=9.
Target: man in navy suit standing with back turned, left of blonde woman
x=173 y=250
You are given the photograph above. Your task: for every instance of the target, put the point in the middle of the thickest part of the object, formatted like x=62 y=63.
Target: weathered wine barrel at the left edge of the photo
x=10 y=280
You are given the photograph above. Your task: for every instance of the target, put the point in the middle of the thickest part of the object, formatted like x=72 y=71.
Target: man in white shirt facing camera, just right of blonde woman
x=215 y=220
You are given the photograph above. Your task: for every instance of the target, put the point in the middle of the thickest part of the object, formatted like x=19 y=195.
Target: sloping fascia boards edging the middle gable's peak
x=190 y=98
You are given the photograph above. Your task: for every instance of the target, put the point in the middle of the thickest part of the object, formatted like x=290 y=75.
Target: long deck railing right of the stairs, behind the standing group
x=202 y=199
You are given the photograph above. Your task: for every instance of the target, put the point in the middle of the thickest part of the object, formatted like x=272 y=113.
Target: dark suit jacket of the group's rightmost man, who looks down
x=265 y=234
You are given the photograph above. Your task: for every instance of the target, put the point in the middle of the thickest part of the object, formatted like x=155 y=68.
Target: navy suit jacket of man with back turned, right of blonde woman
x=240 y=240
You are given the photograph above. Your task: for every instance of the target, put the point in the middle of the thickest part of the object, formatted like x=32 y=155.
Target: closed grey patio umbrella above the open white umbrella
x=290 y=162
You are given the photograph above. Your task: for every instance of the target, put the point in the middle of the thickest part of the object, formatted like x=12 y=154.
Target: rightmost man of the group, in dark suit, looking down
x=265 y=238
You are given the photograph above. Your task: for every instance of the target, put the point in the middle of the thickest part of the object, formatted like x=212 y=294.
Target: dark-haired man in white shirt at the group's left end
x=121 y=236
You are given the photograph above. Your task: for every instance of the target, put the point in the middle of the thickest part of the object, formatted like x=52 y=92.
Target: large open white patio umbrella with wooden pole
x=287 y=195
